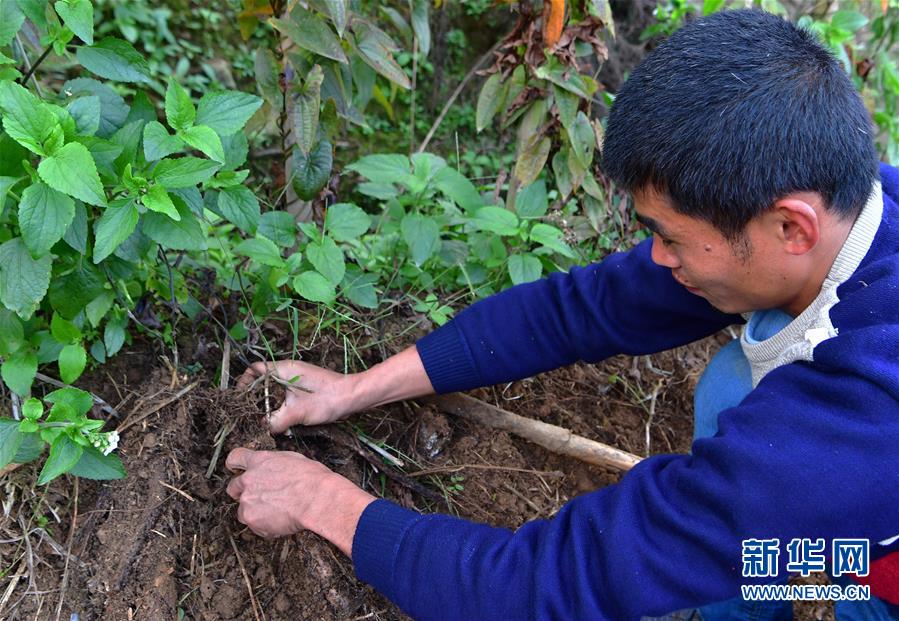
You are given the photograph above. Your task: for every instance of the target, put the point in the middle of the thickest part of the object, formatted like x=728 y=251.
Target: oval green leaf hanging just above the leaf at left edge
x=44 y=216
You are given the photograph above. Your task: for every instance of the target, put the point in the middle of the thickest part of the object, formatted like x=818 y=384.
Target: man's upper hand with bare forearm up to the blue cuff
x=316 y=396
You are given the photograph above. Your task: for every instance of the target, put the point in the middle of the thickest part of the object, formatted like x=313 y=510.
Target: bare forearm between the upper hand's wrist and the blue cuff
x=402 y=376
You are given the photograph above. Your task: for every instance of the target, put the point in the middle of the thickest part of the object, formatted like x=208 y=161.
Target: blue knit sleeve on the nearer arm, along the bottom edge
x=807 y=454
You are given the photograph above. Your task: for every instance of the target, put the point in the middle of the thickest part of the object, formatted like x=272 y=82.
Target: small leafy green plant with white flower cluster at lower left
x=76 y=443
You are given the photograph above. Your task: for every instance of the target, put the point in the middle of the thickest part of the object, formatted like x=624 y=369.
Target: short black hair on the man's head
x=736 y=110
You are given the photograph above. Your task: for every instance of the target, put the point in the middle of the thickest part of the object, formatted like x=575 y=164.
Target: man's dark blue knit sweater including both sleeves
x=813 y=451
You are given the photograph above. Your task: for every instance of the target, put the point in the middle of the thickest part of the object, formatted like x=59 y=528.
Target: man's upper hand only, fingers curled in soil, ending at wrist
x=315 y=396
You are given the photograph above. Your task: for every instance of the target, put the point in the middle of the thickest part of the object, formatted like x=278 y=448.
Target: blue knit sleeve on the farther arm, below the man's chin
x=624 y=305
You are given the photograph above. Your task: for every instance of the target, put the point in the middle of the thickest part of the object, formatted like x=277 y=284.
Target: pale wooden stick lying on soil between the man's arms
x=550 y=437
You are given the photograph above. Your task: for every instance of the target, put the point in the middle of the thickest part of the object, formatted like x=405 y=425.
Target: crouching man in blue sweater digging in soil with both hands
x=750 y=157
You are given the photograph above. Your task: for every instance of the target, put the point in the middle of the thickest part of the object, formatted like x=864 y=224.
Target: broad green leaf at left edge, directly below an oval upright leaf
x=23 y=280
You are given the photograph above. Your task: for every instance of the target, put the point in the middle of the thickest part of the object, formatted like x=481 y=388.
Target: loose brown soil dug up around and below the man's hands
x=164 y=543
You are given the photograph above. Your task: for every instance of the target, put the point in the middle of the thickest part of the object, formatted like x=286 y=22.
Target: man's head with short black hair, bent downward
x=742 y=133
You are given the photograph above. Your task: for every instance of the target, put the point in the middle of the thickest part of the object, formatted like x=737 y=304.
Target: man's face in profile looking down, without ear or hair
x=734 y=277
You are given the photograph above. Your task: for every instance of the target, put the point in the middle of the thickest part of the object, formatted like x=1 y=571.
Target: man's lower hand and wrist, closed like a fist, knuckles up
x=281 y=493
